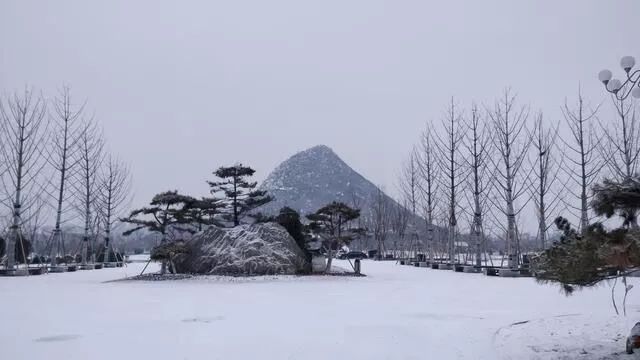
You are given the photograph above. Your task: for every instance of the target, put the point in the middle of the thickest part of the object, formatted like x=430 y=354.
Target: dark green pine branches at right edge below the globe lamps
x=596 y=254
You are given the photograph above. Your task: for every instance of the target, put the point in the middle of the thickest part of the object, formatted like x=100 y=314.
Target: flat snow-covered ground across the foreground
x=396 y=312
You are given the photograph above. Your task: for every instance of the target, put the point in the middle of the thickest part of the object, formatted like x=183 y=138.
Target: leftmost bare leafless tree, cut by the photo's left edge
x=23 y=124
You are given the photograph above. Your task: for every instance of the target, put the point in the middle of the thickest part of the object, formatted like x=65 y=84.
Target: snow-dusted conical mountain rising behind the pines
x=313 y=178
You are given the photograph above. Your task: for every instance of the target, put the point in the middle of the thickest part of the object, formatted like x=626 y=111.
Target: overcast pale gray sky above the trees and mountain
x=183 y=87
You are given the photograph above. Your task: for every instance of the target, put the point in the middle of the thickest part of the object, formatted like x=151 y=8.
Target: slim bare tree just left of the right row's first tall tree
x=429 y=184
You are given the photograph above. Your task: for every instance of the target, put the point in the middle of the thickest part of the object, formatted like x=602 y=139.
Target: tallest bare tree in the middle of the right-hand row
x=511 y=141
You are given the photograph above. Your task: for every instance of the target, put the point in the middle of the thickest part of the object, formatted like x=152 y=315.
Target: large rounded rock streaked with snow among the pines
x=257 y=249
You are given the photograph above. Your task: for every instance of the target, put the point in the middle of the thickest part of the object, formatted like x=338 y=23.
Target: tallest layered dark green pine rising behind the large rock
x=240 y=196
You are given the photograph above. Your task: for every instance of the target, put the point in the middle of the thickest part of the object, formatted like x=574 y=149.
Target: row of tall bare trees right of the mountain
x=478 y=172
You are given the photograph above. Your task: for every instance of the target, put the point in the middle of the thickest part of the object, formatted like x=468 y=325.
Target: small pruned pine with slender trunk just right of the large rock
x=332 y=223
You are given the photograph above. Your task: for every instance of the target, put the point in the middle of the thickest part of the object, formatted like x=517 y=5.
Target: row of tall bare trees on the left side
x=55 y=170
